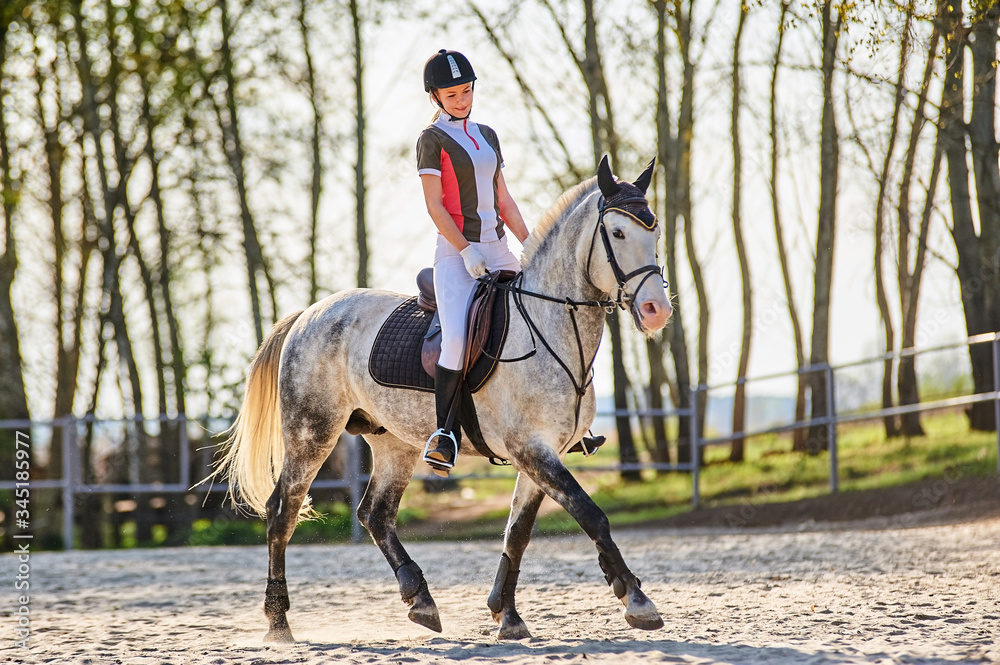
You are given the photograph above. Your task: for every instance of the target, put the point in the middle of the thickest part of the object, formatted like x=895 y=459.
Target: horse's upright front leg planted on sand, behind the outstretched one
x=523 y=510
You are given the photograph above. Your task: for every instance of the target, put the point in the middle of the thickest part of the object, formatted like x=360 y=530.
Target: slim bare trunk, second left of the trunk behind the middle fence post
x=736 y=452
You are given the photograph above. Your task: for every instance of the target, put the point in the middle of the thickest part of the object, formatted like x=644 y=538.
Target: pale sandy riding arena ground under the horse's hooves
x=921 y=595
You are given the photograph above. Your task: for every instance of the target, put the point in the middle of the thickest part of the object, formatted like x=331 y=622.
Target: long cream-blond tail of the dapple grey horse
x=255 y=449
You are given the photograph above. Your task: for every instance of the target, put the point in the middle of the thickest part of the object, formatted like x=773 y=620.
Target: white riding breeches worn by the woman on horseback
x=453 y=288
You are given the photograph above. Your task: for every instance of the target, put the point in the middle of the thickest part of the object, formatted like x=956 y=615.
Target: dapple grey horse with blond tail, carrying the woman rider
x=310 y=380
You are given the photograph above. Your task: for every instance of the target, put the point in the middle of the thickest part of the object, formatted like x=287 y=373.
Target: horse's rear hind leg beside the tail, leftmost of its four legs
x=304 y=455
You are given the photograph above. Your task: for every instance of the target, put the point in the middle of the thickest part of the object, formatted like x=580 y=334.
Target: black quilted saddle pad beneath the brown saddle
x=395 y=356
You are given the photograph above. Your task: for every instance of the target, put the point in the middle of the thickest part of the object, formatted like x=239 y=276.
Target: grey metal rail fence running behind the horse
x=355 y=480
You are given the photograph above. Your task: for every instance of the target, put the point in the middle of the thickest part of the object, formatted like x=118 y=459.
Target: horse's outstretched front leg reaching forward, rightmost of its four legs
x=539 y=462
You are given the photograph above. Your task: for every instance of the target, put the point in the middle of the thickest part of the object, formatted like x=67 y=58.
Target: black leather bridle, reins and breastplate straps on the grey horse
x=517 y=292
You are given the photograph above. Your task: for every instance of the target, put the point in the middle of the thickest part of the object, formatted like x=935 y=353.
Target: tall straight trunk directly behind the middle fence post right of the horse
x=825 y=233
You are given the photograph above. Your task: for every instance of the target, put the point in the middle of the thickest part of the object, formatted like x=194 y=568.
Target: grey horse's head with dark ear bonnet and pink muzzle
x=629 y=235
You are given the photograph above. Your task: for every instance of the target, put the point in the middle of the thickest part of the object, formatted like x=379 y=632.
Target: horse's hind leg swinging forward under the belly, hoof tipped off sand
x=392 y=469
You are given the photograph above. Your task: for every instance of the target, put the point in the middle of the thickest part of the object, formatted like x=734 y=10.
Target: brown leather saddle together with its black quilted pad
x=408 y=345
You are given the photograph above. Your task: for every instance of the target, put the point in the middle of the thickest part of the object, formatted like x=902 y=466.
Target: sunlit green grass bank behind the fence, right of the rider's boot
x=770 y=473
